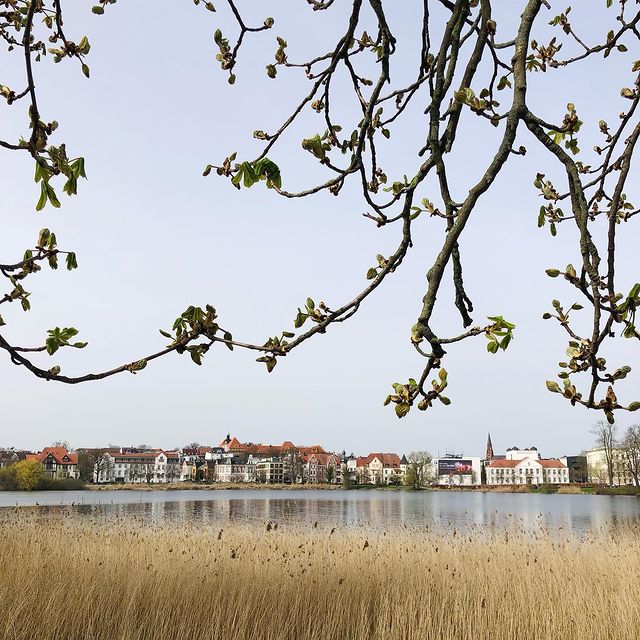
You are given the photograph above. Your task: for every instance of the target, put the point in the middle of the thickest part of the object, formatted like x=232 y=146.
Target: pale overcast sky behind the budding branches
x=153 y=236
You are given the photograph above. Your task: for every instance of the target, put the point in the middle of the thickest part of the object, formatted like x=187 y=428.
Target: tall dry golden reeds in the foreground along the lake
x=67 y=579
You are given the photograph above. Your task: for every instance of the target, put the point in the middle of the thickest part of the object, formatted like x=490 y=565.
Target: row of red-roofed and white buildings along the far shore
x=233 y=461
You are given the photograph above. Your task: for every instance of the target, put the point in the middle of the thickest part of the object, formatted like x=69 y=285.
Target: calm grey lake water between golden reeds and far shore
x=386 y=509
